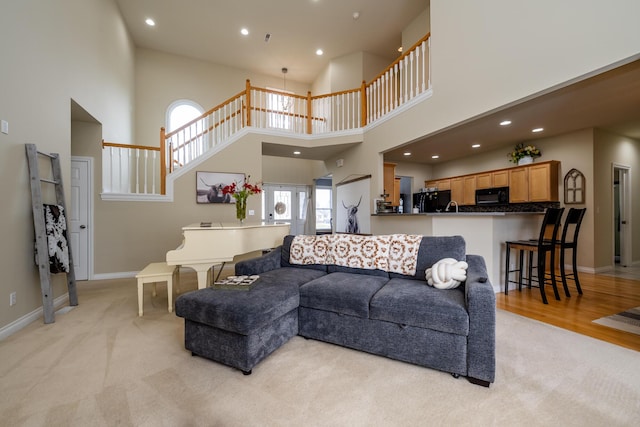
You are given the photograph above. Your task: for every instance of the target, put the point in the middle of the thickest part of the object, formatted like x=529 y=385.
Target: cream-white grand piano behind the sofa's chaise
x=205 y=246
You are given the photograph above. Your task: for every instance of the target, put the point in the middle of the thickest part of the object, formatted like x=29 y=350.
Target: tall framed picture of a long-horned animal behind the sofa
x=353 y=210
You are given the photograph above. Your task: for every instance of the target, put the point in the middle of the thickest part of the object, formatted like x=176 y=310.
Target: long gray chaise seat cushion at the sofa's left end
x=274 y=294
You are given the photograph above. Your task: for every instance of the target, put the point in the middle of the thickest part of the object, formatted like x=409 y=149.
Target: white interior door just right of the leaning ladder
x=78 y=216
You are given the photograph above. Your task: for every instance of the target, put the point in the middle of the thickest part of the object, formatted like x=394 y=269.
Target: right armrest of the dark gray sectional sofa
x=481 y=305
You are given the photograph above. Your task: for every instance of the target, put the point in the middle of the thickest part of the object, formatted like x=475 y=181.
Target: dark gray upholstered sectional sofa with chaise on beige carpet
x=371 y=309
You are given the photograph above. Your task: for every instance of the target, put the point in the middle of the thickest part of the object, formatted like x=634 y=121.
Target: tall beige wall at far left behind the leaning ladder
x=53 y=52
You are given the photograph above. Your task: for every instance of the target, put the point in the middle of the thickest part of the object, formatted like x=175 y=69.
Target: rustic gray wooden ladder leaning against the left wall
x=42 y=247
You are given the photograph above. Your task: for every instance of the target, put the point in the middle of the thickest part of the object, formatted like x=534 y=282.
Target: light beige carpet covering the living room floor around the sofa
x=101 y=365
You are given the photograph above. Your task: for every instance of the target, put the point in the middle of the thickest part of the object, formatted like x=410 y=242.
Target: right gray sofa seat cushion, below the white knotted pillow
x=410 y=302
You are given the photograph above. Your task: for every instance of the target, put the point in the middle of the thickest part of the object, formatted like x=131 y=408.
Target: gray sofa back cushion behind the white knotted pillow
x=432 y=249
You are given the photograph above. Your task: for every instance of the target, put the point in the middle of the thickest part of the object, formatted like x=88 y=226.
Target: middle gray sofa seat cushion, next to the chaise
x=344 y=293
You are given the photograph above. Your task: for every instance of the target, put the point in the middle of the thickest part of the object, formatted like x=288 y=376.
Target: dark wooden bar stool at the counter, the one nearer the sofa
x=543 y=246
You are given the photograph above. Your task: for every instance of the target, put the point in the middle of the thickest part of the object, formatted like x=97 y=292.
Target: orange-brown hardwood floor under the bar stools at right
x=602 y=296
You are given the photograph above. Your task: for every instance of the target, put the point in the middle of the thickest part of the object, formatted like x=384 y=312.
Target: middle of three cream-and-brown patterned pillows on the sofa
x=355 y=251
